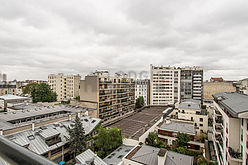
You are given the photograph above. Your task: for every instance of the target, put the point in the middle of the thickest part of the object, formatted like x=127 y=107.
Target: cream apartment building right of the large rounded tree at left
x=66 y=86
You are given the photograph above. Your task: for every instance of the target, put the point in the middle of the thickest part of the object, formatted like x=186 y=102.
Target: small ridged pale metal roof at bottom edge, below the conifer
x=87 y=157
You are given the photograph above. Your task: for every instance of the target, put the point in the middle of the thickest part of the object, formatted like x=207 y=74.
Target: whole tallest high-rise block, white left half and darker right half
x=169 y=84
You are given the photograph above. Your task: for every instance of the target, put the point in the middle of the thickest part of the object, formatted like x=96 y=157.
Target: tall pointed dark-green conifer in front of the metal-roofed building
x=77 y=137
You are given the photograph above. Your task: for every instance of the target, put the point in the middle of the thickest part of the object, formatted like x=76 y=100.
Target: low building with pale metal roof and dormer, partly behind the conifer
x=52 y=141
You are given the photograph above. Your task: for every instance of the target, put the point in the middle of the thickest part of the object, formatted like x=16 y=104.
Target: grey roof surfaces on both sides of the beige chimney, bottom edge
x=149 y=155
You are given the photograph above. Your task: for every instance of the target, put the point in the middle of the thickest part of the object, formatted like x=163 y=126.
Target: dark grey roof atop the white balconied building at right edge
x=235 y=103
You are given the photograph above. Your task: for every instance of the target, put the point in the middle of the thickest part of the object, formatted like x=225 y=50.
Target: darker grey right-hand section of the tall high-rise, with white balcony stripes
x=192 y=83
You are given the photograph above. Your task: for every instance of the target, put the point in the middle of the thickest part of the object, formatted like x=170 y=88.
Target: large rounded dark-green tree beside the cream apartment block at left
x=43 y=93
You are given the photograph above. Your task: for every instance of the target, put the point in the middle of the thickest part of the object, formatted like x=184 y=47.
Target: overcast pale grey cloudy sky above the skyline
x=38 y=37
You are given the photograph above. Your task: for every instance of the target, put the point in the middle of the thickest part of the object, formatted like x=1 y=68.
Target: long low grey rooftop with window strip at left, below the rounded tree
x=28 y=112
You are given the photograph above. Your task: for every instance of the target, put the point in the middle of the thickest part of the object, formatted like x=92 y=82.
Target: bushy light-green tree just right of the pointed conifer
x=107 y=141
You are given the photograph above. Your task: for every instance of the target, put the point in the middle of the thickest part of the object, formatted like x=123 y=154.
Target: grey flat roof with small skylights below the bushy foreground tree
x=116 y=157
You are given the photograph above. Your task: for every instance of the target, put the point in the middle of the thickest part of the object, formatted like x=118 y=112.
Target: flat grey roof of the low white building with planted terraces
x=176 y=126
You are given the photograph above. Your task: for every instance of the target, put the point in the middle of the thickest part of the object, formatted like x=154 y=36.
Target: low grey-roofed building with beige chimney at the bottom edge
x=154 y=156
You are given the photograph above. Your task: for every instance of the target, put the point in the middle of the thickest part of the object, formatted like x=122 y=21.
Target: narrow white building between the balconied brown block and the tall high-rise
x=142 y=88
